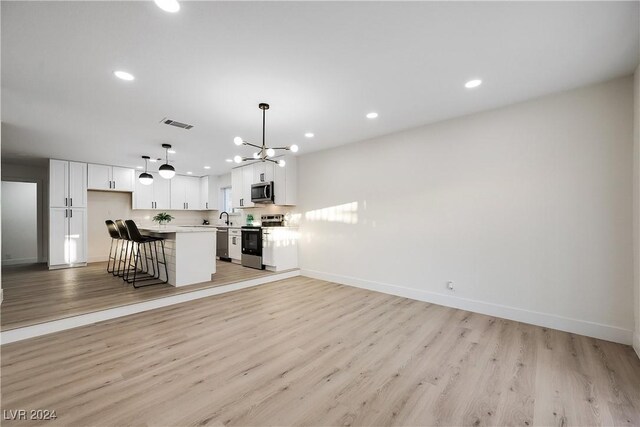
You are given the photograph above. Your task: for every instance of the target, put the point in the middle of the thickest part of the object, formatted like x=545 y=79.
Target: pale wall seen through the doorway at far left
x=19 y=223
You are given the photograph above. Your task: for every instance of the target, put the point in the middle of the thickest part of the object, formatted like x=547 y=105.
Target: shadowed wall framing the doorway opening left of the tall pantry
x=39 y=175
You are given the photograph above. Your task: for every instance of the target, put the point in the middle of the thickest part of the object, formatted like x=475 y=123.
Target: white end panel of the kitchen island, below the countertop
x=194 y=258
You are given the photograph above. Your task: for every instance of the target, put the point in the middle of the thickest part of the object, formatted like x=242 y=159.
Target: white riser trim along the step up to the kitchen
x=19 y=334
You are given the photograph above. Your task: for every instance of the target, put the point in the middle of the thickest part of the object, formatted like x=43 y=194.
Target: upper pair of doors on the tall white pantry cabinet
x=67 y=184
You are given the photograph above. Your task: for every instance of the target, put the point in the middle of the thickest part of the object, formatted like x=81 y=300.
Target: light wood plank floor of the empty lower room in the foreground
x=307 y=352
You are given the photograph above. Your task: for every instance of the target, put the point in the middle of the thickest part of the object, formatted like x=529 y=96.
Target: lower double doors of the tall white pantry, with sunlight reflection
x=67 y=237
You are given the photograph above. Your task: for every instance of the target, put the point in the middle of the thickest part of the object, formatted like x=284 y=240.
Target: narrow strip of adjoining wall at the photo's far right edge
x=636 y=205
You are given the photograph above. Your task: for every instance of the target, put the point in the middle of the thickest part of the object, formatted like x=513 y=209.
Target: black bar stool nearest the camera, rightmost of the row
x=144 y=243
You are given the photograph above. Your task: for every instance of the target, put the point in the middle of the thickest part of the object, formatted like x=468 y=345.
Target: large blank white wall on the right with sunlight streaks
x=527 y=209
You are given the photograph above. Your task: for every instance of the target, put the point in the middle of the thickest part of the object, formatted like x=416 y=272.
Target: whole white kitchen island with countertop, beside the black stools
x=190 y=251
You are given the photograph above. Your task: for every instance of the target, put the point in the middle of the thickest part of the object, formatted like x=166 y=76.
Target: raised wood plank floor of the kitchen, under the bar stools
x=33 y=294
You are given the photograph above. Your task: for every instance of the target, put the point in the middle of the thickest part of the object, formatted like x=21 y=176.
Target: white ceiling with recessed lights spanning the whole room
x=321 y=65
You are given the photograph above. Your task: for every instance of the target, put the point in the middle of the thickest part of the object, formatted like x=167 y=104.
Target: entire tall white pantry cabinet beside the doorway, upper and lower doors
x=67 y=214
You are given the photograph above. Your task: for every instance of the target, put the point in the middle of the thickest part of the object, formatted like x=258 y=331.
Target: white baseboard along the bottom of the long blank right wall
x=582 y=327
